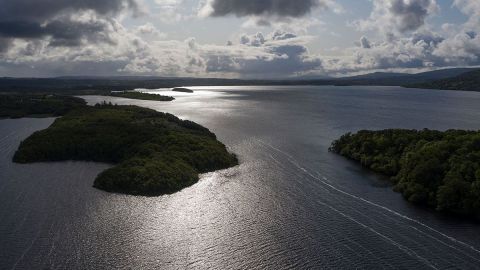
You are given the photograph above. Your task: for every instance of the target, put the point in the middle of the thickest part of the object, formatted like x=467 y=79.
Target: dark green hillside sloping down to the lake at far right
x=469 y=81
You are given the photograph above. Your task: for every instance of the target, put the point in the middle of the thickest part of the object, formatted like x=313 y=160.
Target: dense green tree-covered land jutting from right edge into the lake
x=433 y=168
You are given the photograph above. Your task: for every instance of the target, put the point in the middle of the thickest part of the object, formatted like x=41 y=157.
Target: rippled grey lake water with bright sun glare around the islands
x=290 y=204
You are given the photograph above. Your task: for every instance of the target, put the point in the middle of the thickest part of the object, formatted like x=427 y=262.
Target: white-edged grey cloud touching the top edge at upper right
x=398 y=16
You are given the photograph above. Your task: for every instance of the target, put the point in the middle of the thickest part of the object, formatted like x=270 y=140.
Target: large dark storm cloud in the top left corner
x=34 y=19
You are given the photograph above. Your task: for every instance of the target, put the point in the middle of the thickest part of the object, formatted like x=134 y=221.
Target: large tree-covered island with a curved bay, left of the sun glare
x=154 y=153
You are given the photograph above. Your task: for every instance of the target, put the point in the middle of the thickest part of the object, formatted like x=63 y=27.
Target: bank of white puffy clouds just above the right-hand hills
x=423 y=50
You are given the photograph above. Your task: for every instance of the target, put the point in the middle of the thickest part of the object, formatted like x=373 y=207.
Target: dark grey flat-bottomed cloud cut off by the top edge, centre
x=240 y=8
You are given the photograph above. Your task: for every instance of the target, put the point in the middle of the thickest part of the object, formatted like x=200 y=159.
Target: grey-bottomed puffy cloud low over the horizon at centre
x=278 y=54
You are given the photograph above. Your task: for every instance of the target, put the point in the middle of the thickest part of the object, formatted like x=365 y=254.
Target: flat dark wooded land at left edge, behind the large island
x=17 y=106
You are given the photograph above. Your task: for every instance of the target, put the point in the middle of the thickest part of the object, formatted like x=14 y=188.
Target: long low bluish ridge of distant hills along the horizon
x=76 y=85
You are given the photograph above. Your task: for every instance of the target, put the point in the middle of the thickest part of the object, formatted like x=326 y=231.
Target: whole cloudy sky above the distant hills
x=235 y=38
